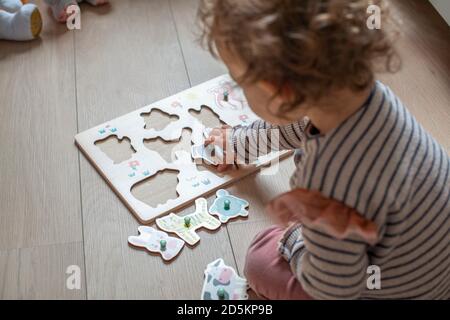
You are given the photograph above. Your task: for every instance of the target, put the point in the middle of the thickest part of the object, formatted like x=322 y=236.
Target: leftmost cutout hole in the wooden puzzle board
x=117 y=150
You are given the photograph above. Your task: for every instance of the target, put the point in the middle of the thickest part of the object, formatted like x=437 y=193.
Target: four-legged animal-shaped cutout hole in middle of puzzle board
x=167 y=149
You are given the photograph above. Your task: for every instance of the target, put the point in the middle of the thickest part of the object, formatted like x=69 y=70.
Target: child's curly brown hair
x=311 y=46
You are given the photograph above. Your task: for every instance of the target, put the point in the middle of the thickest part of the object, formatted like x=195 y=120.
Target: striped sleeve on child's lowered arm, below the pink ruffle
x=330 y=268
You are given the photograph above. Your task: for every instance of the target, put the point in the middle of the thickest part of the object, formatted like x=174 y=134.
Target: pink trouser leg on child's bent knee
x=267 y=272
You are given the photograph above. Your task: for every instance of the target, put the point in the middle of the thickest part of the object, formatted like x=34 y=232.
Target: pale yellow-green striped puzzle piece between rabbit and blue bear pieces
x=186 y=226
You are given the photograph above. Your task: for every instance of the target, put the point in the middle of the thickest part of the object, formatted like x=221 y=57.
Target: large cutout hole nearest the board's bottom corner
x=157 y=189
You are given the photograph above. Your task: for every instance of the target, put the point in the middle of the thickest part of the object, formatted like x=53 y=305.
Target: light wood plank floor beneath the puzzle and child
x=56 y=211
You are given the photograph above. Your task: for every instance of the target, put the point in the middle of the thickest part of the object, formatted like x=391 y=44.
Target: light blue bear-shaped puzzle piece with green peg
x=227 y=206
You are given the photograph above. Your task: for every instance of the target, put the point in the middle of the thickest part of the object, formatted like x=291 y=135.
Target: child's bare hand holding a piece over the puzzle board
x=221 y=138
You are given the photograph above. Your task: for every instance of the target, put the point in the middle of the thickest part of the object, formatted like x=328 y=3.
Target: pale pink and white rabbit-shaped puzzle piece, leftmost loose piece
x=157 y=241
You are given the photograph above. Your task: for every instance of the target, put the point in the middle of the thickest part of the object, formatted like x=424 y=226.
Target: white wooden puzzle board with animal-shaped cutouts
x=146 y=163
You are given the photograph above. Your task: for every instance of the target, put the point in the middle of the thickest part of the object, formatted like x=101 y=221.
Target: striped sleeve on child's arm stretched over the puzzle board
x=261 y=138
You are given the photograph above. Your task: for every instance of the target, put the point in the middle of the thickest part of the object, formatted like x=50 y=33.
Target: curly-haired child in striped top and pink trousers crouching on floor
x=371 y=186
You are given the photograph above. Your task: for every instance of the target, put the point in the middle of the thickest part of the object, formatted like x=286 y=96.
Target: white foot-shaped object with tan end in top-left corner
x=25 y=24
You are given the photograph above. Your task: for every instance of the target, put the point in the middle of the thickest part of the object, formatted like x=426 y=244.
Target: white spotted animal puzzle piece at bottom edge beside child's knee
x=223 y=283
